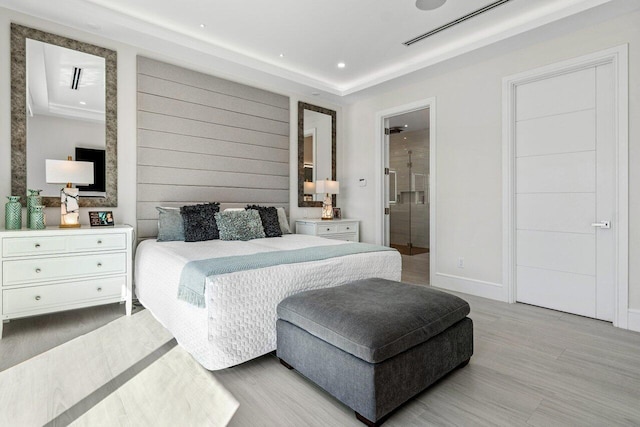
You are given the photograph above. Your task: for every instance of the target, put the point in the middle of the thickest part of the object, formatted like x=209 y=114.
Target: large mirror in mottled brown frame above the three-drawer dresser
x=63 y=103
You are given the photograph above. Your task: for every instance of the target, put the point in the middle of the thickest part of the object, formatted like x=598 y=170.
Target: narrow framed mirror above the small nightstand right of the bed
x=316 y=152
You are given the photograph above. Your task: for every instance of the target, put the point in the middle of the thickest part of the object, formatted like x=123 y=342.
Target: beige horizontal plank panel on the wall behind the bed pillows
x=206 y=139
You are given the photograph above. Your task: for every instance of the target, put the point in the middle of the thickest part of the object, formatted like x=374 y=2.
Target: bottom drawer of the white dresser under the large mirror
x=47 y=297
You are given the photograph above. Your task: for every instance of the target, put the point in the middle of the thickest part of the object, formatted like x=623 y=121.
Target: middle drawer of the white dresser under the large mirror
x=68 y=267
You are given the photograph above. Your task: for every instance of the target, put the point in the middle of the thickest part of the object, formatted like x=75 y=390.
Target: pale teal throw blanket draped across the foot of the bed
x=194 y=274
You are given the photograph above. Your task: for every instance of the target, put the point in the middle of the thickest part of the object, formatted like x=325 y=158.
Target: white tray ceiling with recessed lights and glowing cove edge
x=312 y=36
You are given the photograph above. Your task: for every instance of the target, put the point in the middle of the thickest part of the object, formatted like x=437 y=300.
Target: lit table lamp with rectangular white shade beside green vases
x=67 y=172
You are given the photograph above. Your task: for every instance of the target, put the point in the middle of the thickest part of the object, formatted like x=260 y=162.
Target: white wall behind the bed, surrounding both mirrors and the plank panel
x=125 y=212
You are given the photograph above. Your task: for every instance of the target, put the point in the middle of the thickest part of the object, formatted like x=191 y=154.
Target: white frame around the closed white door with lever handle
x=618 y=58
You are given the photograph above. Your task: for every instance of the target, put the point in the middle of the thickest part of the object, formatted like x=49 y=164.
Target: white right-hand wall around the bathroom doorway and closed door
x=469 y=155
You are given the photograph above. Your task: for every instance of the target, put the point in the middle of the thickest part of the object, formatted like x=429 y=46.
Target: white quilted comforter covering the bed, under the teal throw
x=238 y=323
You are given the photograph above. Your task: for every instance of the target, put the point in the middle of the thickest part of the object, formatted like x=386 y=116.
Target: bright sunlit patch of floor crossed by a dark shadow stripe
x=128 y=372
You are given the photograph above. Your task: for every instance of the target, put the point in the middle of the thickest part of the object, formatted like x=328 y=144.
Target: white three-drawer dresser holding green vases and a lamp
x=56 y=269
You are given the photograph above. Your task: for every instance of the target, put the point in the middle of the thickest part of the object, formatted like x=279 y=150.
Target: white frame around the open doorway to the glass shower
x=380 y=160
